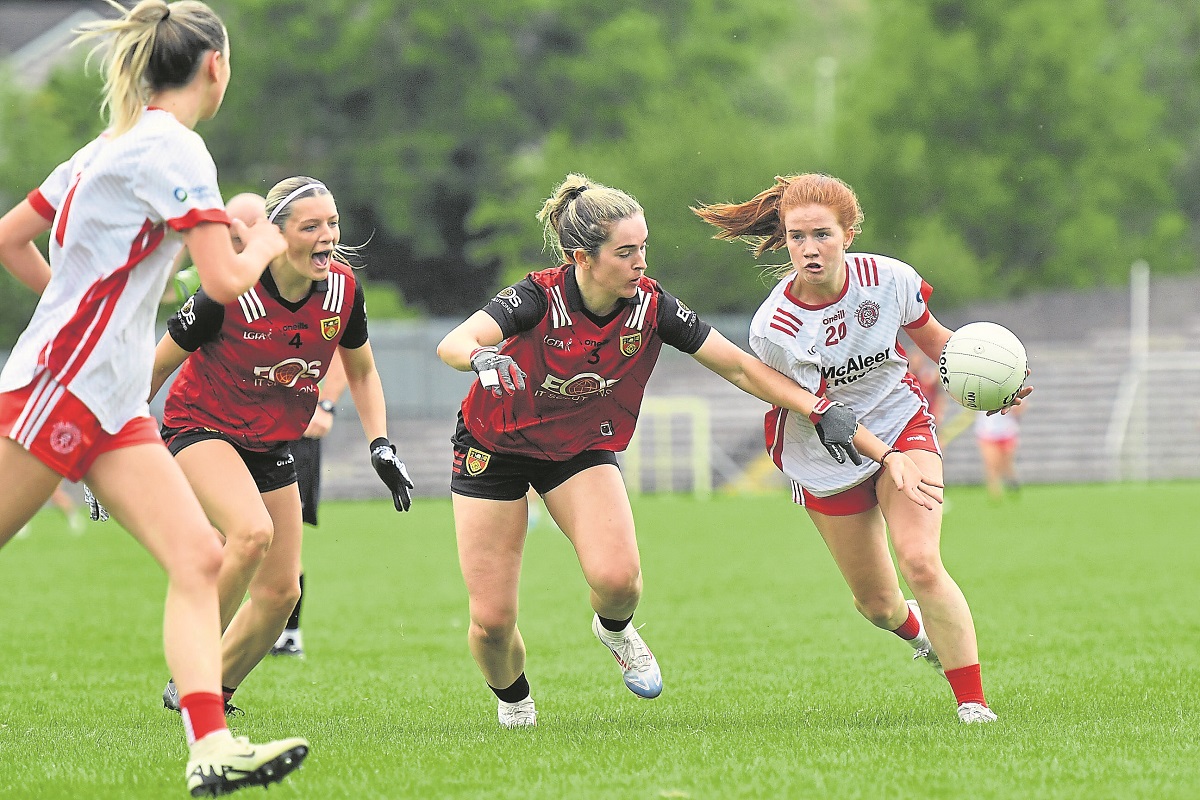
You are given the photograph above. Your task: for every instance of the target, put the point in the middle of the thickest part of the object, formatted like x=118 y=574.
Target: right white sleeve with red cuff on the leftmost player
x=179 y=183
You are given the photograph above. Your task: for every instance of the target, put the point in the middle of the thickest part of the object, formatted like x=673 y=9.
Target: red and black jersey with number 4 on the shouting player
x=256 y=363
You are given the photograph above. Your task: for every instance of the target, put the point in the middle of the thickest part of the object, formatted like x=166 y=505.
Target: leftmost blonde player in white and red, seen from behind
x=74 y=395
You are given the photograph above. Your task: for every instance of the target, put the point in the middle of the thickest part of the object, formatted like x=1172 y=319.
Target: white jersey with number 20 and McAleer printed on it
x=847 y=351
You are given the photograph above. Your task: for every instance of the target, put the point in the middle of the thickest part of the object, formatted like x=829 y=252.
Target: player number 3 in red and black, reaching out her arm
x=587 y=335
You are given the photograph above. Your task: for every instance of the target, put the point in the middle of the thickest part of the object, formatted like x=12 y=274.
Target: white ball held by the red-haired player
x=983 y=366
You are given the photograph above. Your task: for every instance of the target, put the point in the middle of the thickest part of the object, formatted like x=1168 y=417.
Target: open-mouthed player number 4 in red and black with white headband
x=248 y=389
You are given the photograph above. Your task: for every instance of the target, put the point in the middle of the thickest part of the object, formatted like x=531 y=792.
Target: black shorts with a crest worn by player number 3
x=479 y=473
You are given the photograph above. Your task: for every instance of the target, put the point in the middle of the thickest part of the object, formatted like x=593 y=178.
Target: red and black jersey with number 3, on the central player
x=586 y=376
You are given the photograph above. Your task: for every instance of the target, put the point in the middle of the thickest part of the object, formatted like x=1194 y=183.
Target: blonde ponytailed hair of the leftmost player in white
x=152 y=47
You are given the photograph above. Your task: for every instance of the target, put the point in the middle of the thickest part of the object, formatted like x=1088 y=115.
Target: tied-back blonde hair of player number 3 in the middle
x=580 y=215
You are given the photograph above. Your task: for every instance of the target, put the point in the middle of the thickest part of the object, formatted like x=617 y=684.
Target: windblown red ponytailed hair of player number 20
x=760 y=221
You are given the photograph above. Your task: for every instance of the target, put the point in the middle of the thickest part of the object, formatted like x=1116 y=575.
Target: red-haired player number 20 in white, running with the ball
x=832 y=324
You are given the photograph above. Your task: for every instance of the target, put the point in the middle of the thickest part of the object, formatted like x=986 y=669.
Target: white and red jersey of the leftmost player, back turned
x=118 y=208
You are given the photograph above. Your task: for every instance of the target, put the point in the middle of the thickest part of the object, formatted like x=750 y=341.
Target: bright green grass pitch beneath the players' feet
x=1085 y=600
